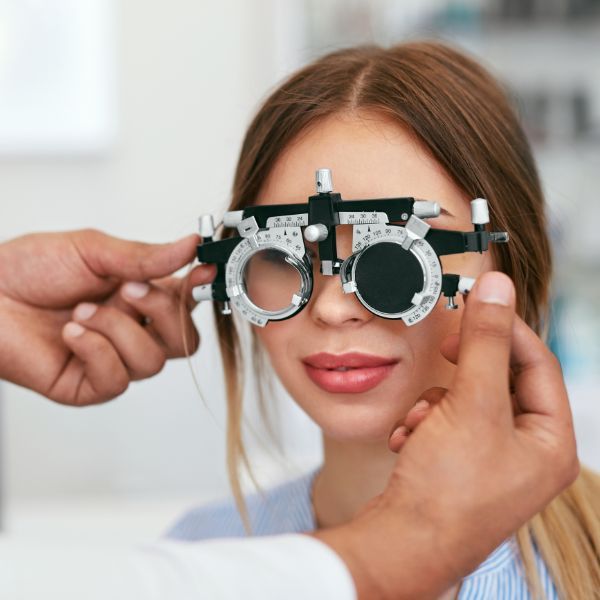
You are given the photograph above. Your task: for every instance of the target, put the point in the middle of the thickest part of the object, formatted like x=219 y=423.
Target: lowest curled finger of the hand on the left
x=95 y=374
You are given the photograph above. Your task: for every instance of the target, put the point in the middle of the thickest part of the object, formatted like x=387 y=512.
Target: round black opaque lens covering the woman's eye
x=387 y=277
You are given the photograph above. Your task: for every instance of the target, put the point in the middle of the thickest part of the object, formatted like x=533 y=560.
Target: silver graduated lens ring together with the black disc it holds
x=393 y=277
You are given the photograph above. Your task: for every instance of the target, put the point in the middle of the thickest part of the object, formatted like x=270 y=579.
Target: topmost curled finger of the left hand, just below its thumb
x=168 y=322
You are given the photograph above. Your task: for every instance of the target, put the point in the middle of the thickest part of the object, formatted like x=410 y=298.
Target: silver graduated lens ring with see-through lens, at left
x=281 y=258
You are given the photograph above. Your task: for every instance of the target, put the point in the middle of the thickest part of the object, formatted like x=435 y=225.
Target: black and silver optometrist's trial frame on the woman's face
x=394 y=270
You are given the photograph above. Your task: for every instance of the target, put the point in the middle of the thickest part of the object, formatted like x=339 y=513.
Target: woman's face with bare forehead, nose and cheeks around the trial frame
x=370 y=157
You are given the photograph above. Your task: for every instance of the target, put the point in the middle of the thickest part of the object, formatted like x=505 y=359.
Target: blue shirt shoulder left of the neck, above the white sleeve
x=285 y=508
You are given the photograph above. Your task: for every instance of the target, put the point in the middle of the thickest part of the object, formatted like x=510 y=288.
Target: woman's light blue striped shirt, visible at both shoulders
x=287 y=508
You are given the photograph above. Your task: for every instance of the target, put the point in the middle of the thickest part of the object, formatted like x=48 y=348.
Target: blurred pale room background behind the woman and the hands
x=128 y=116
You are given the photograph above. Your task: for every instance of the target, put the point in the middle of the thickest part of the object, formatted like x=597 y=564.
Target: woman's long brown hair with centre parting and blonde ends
x=464 y=117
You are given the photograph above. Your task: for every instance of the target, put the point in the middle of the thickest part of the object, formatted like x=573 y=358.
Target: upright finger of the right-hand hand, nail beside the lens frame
x=485 y=341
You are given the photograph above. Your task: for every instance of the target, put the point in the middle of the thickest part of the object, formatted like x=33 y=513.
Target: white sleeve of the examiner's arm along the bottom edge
x=295 y=567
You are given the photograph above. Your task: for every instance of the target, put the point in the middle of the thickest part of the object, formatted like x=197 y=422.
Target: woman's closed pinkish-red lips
x=350 y=373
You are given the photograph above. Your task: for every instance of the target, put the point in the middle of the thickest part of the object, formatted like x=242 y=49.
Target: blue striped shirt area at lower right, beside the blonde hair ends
x=502 y=576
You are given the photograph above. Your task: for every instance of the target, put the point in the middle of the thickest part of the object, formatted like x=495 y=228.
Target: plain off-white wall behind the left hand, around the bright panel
x=189 y=76
